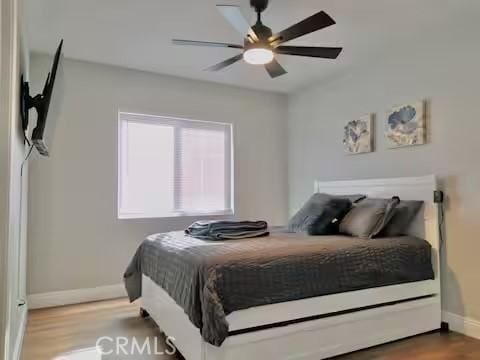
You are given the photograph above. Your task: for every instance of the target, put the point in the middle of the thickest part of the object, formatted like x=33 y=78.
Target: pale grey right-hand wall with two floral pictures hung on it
x=440 y=65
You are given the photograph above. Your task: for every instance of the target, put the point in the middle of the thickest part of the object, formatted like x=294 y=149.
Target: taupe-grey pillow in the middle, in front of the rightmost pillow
x=369 y=217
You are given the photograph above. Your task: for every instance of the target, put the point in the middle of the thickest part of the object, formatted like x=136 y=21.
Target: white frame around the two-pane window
x=176 y=123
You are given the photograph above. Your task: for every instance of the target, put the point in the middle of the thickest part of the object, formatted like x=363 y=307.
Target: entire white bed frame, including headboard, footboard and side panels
x=367 y=317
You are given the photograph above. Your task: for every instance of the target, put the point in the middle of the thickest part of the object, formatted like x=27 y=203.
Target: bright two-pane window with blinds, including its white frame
x=173 y=167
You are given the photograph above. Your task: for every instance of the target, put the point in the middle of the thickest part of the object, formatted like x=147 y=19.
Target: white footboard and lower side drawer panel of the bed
x=309 y=340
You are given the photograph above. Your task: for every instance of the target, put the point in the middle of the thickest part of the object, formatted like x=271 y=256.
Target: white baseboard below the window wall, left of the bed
x=77 y=296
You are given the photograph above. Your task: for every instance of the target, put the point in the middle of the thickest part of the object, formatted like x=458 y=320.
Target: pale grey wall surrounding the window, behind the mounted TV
x=75 y=238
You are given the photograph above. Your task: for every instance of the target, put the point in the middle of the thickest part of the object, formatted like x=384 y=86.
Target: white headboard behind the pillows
x=425 y=226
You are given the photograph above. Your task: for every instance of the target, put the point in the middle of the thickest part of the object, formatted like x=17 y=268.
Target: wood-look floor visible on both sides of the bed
x=71 y=332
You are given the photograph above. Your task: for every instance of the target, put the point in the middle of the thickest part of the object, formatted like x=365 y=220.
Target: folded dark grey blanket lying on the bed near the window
x=227 y=230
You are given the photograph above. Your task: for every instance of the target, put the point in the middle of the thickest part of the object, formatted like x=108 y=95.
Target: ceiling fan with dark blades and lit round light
x=261 y=44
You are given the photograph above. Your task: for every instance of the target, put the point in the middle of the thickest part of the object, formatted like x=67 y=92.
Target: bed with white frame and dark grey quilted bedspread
x=322 y=321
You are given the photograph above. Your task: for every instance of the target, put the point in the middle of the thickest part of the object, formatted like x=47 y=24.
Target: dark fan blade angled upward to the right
x=313 y=23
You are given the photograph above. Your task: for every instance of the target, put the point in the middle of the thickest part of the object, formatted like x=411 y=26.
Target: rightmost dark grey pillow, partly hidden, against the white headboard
x=402 y=217
